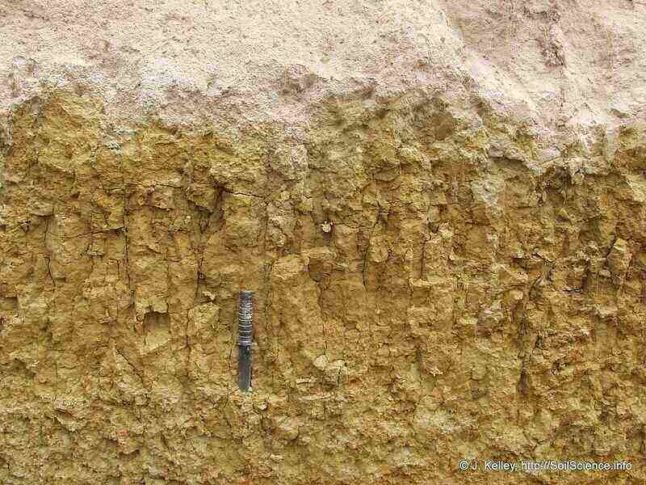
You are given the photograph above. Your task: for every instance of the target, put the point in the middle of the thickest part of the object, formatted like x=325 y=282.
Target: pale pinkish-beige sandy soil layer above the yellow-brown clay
x=556 y=62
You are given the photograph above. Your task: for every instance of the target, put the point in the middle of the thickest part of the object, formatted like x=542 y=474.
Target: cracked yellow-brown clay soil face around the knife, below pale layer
x=433 y=282
